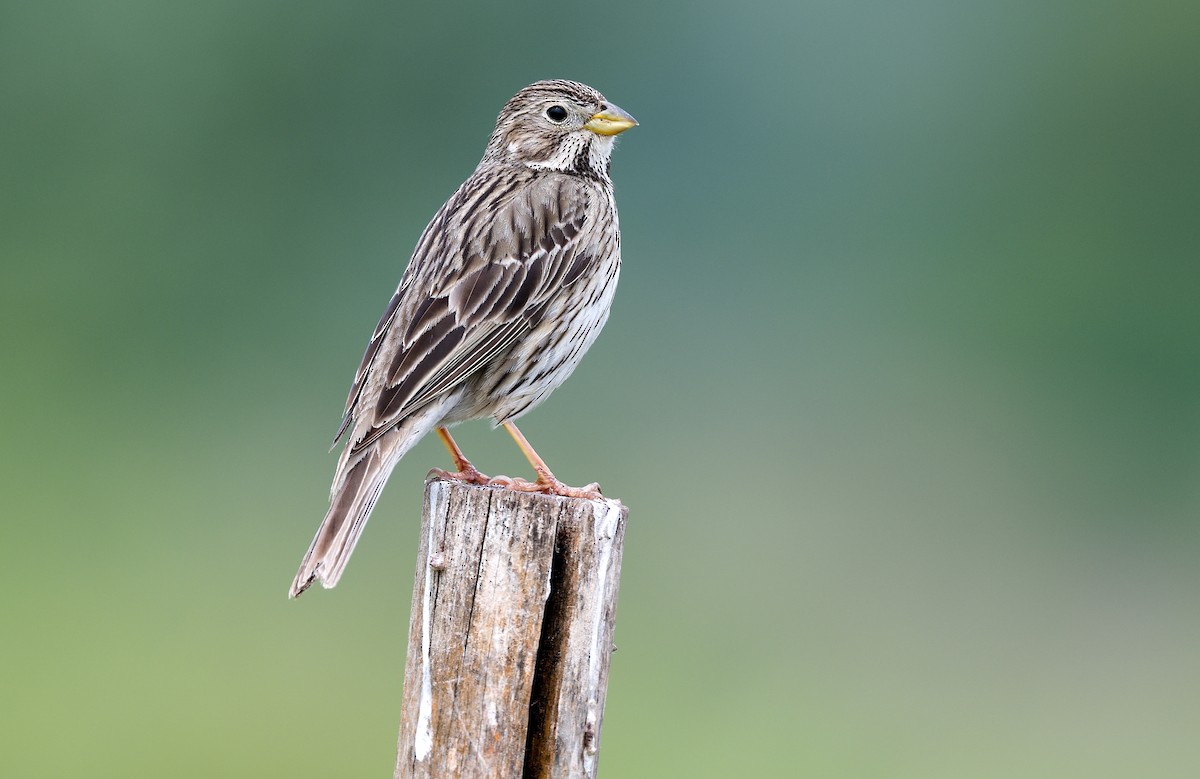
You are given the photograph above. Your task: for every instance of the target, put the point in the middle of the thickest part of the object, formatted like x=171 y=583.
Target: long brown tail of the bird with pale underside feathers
x=357 y=487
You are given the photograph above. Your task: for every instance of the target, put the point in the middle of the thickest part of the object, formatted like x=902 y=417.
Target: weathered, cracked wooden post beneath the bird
x=511 y=636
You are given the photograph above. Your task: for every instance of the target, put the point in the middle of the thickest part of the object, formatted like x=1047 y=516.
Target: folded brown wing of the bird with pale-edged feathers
x=482 y=275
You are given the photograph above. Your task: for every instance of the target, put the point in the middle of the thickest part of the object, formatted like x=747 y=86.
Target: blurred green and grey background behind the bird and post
x=902 y=385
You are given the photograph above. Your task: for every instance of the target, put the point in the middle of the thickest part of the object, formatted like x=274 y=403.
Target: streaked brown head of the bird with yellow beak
x=557 y=125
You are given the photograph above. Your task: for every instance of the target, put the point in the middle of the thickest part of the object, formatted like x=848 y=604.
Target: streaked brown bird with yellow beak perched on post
x=509 y=285
